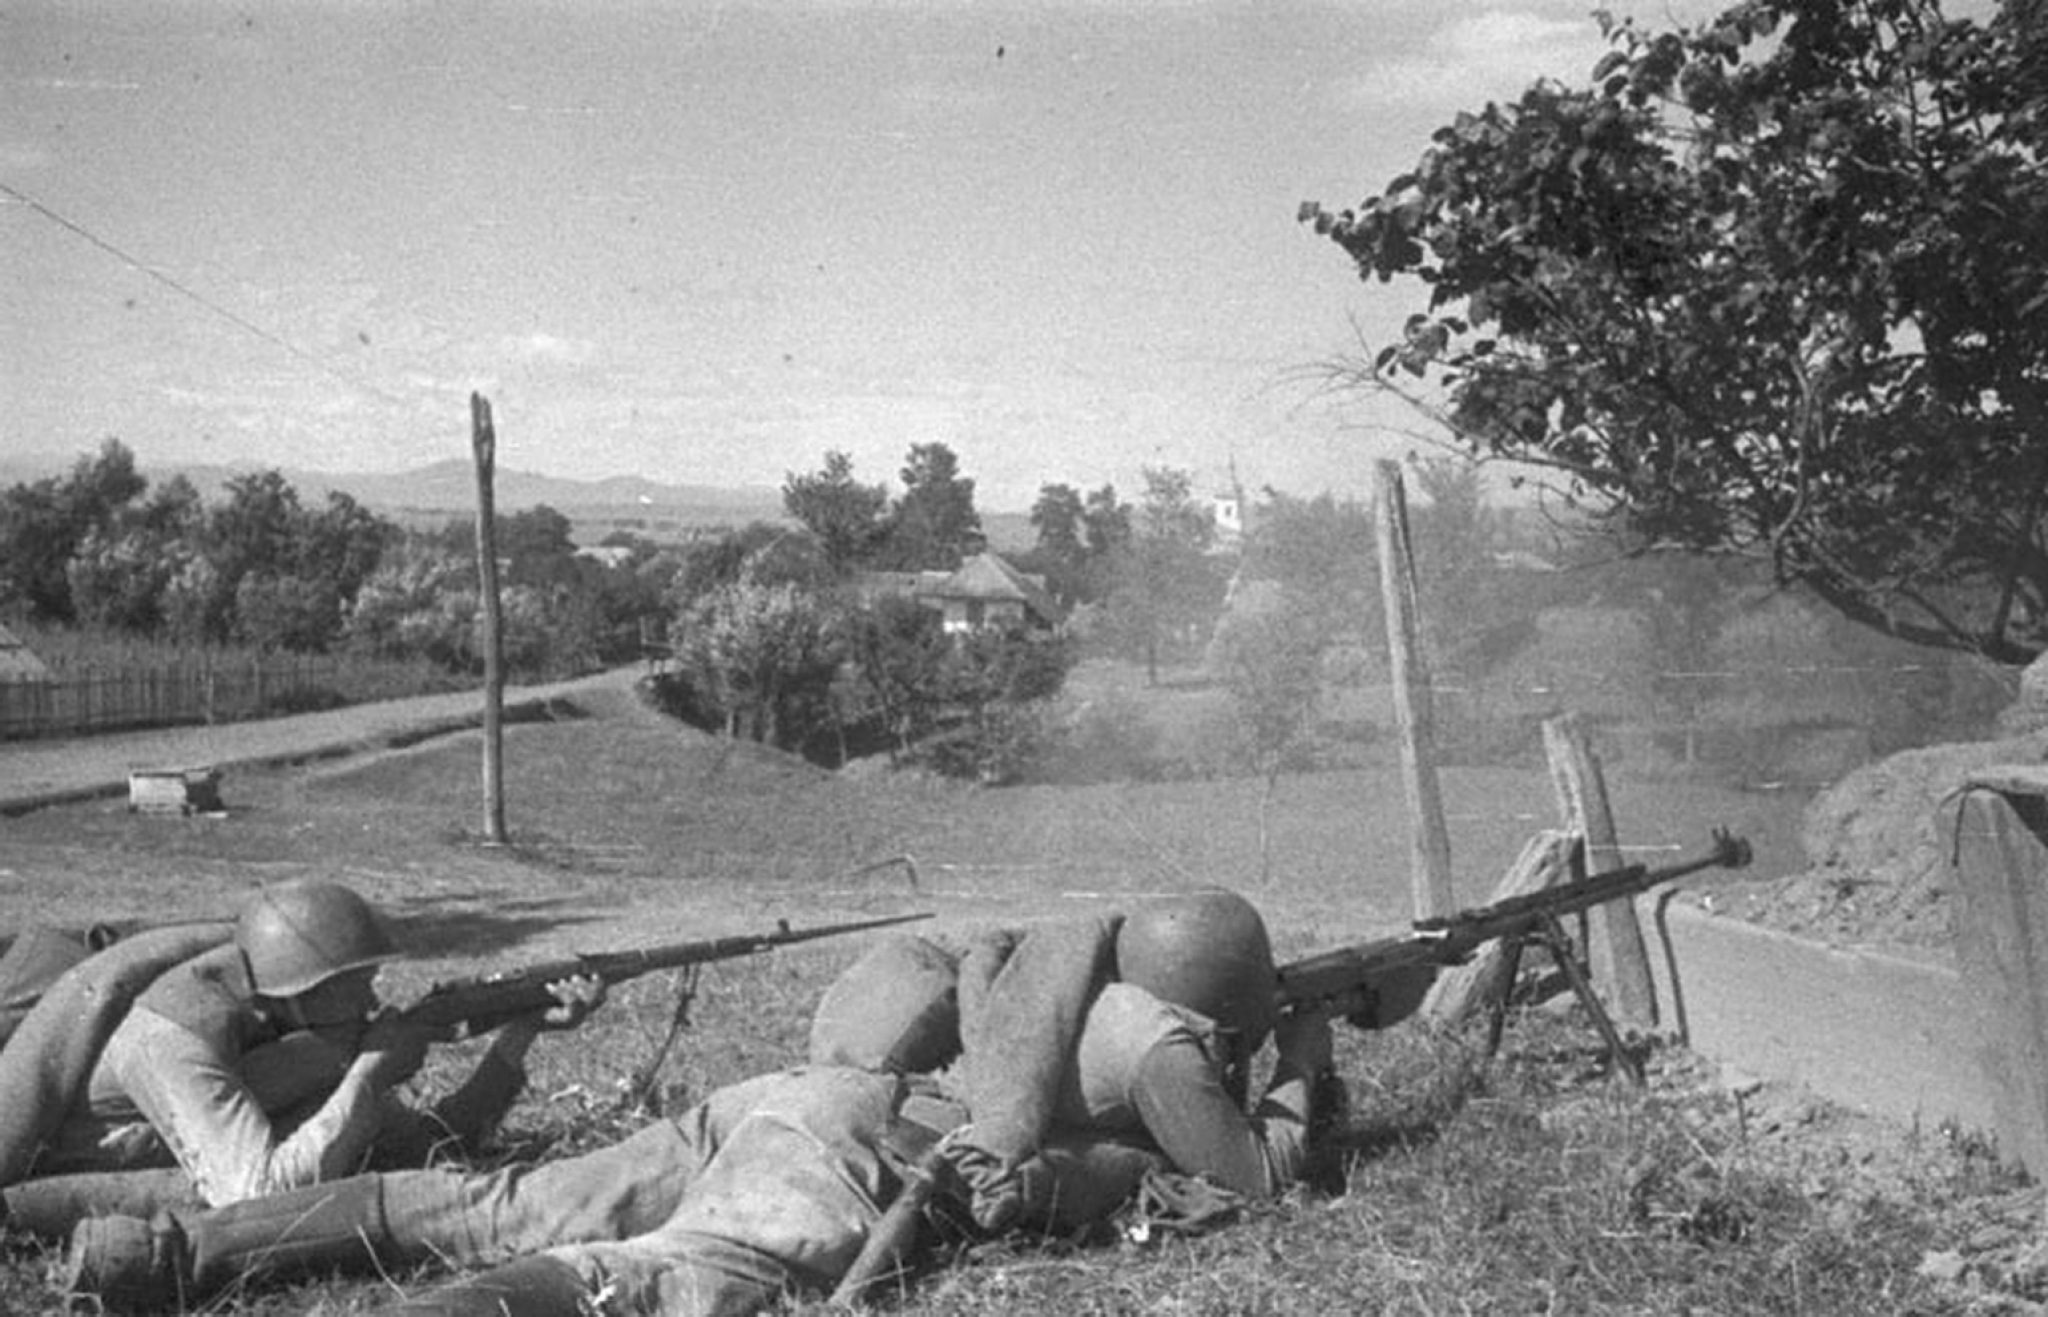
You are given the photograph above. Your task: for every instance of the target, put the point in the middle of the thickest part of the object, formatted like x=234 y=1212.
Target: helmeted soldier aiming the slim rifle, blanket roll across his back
x=255 y=1064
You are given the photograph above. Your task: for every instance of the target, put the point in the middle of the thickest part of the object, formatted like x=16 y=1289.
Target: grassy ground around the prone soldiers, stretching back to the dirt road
x=1537 y=1183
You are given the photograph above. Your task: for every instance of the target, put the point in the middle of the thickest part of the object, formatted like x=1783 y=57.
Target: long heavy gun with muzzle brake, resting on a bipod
x=1365 y=982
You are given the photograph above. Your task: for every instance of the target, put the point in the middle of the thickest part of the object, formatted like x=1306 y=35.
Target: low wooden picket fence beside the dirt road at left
x=161 y=695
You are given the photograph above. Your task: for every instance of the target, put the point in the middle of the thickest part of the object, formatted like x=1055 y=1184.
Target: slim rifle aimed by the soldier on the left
x=478 y=1005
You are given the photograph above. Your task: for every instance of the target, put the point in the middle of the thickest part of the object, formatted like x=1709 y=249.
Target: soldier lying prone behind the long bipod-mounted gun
x=1058 y=1072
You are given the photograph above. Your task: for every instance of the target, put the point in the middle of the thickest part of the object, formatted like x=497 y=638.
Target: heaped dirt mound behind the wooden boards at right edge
x=1879 y=859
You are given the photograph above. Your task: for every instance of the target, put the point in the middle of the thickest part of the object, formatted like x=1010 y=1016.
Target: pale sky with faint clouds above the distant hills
x=708 y=243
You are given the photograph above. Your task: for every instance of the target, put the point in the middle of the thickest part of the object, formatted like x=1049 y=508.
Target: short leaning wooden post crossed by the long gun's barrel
x=1621 y=966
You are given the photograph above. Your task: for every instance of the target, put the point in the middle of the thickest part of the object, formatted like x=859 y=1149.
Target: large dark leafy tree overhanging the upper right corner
x=1777 y=286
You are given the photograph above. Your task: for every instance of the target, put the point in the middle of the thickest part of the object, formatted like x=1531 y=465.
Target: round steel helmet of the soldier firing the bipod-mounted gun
x=1209 y=953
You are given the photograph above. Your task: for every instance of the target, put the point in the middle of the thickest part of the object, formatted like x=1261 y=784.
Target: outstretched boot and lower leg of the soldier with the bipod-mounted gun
x=177 y=1259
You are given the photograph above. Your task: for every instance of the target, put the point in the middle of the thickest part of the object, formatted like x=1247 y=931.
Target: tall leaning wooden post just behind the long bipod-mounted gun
x=1431 y=853
